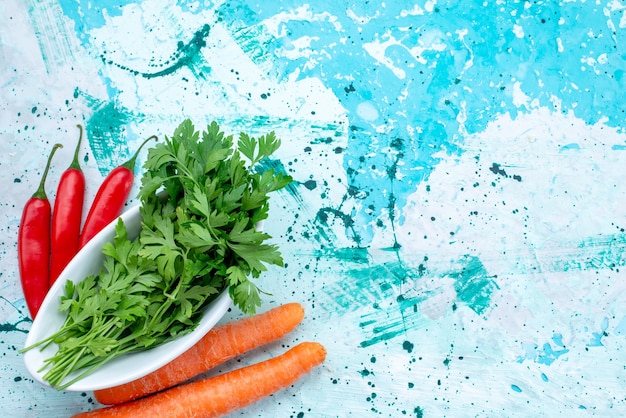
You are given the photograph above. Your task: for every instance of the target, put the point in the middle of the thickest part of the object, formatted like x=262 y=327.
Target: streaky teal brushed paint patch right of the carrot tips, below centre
x=380 y=286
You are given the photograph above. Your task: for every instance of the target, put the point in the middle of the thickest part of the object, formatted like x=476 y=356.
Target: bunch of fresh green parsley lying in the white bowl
x=201 y=202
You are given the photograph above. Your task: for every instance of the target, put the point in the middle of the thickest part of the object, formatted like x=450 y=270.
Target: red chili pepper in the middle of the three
x=67 y=215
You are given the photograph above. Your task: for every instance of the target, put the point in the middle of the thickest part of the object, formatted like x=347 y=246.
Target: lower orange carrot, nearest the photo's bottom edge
x=225 y=393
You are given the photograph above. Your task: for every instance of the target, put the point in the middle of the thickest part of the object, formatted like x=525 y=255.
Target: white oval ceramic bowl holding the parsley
x=124 y=368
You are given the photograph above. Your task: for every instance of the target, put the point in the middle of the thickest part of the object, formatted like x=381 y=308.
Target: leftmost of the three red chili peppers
x=33 y=244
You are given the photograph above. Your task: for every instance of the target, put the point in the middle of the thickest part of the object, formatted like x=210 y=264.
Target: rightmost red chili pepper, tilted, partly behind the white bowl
x=110 y=198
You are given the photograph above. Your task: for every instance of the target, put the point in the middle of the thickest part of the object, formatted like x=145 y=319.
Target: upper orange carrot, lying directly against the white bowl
x=219 y=345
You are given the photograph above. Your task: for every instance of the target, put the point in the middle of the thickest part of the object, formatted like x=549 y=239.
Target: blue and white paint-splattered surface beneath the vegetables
x=457 y=219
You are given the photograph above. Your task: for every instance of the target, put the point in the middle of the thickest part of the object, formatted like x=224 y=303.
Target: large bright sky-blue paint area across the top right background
x=438 y=82
